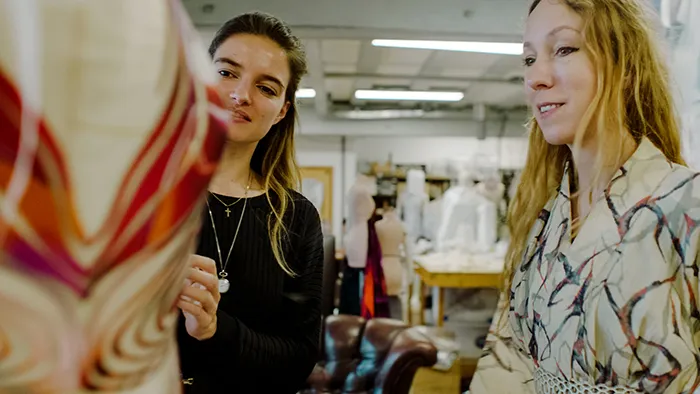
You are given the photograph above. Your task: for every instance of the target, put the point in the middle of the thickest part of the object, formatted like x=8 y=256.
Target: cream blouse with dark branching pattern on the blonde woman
x=618 y=306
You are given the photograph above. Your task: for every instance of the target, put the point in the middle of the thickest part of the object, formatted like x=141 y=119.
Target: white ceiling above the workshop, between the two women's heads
x=337 y=35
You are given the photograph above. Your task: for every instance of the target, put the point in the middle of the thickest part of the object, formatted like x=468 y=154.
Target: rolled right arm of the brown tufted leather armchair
x=410 y=350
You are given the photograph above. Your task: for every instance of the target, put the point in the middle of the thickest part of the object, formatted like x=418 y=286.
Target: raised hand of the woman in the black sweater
x=200 y=297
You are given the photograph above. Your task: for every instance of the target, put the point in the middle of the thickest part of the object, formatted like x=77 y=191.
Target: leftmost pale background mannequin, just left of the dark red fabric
x=360 y=206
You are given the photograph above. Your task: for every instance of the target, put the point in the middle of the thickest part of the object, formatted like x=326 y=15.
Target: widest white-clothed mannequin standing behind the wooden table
x=469 y=220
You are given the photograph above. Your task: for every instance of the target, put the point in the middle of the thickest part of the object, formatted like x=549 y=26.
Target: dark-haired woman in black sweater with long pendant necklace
x=258 y=330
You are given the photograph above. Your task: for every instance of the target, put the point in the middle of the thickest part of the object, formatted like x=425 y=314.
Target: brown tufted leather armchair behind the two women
x=375 y=356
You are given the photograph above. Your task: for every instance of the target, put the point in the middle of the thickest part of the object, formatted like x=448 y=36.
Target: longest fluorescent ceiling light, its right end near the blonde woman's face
x=501 y=48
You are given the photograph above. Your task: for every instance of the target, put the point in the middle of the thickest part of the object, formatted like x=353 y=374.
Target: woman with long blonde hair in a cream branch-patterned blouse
x=601 y=281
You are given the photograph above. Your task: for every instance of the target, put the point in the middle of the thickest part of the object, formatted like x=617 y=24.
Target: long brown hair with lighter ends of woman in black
x=273 y=160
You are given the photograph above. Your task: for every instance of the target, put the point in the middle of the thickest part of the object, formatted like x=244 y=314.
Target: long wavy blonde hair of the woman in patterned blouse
x=633 y=96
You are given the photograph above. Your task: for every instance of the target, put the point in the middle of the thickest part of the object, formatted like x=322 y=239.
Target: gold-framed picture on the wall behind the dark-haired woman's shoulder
x=317 y=186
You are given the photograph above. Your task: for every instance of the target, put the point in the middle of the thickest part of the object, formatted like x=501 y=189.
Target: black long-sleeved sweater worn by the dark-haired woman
x=269 y=323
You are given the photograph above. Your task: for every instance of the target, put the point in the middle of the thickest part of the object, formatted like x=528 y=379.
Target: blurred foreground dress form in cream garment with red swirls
x=96 y=230
